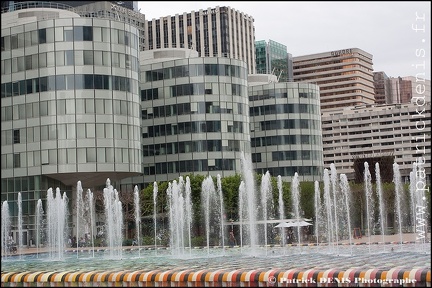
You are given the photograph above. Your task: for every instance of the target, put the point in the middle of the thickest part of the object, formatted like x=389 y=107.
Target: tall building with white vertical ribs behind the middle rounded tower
x=214 y=32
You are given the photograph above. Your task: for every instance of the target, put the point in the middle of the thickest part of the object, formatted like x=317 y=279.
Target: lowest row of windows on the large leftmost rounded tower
x=70 y=156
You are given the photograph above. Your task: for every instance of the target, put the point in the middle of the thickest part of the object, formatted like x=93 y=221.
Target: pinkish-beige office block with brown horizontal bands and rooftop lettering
x=344 y=76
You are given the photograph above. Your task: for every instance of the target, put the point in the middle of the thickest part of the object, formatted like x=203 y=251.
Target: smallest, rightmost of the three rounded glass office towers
x=286 y=132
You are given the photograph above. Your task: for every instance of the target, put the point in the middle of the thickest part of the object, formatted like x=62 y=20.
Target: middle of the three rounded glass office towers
x=194 y=115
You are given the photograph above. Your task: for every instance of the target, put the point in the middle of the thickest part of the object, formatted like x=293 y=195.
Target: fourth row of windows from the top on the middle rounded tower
x=191 y=127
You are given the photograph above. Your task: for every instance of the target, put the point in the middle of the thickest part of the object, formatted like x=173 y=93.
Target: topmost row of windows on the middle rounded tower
x=193 y=70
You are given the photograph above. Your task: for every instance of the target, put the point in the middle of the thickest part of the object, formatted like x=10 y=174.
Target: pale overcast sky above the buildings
x=383 y=29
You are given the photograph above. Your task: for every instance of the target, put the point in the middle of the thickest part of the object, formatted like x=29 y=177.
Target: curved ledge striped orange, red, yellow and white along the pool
x=420 y=277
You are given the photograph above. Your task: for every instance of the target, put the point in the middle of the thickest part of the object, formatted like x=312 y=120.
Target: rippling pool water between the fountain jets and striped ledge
x=306 y=257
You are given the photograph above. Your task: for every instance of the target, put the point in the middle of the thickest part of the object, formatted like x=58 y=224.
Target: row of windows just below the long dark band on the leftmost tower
x=70 y=107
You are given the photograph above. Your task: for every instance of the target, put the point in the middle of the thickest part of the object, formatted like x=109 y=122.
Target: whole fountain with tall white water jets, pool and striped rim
x=359 y=264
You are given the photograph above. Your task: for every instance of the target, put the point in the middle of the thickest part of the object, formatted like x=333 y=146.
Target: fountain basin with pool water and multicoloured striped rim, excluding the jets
x=306 y=266
